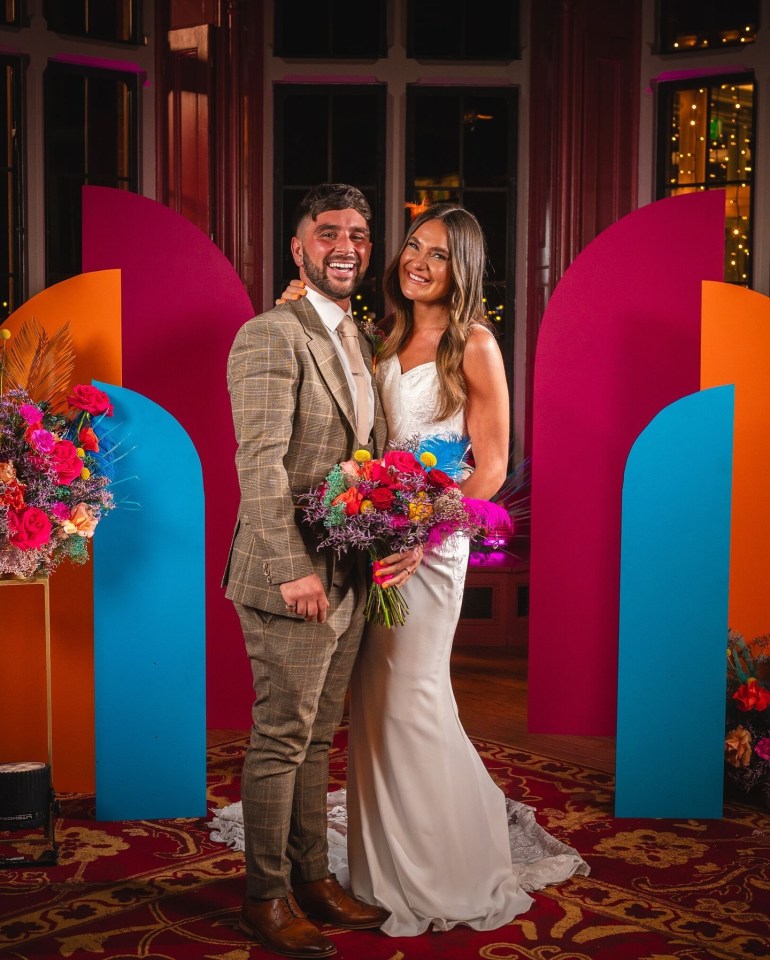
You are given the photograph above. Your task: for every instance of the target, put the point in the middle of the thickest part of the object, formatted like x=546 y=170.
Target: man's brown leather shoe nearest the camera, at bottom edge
x=281 y=926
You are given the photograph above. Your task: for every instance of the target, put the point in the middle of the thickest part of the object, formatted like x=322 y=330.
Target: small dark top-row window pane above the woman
x=455 y=30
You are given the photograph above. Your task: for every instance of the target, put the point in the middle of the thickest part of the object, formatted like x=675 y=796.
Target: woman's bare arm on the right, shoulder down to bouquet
x=486 y=413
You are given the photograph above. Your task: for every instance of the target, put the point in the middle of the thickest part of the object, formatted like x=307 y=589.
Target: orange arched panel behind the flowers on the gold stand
x=90 y=303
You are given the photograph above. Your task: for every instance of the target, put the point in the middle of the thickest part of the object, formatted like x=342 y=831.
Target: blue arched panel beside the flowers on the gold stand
x=149 y=621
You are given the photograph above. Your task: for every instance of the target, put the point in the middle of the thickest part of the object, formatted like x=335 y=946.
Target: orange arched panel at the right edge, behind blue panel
x=736 y=349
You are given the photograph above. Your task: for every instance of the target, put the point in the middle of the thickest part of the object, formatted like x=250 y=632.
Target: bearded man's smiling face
x=333 y=252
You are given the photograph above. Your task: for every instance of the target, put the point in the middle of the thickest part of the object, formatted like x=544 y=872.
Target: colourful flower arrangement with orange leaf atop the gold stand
x=55 y=455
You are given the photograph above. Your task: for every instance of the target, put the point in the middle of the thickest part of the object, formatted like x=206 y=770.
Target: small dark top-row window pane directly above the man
x=320 y=29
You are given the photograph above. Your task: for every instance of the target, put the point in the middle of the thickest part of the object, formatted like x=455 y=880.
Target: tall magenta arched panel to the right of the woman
x=619 y=341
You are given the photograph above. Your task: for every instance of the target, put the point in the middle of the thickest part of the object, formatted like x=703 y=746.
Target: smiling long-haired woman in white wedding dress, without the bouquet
x=430 y=836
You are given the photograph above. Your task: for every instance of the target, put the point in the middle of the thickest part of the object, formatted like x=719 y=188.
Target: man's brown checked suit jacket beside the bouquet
x=294 y=419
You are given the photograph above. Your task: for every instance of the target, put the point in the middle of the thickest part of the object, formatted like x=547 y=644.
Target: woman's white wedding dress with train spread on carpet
x=424 y=830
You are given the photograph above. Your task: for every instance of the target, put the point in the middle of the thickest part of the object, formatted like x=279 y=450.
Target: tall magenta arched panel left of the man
x=182 y=305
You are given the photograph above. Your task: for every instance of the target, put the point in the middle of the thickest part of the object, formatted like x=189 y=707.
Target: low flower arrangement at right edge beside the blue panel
x=747 y=742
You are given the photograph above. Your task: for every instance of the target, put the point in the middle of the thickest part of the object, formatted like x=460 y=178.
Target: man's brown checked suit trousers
x=301 y=672
